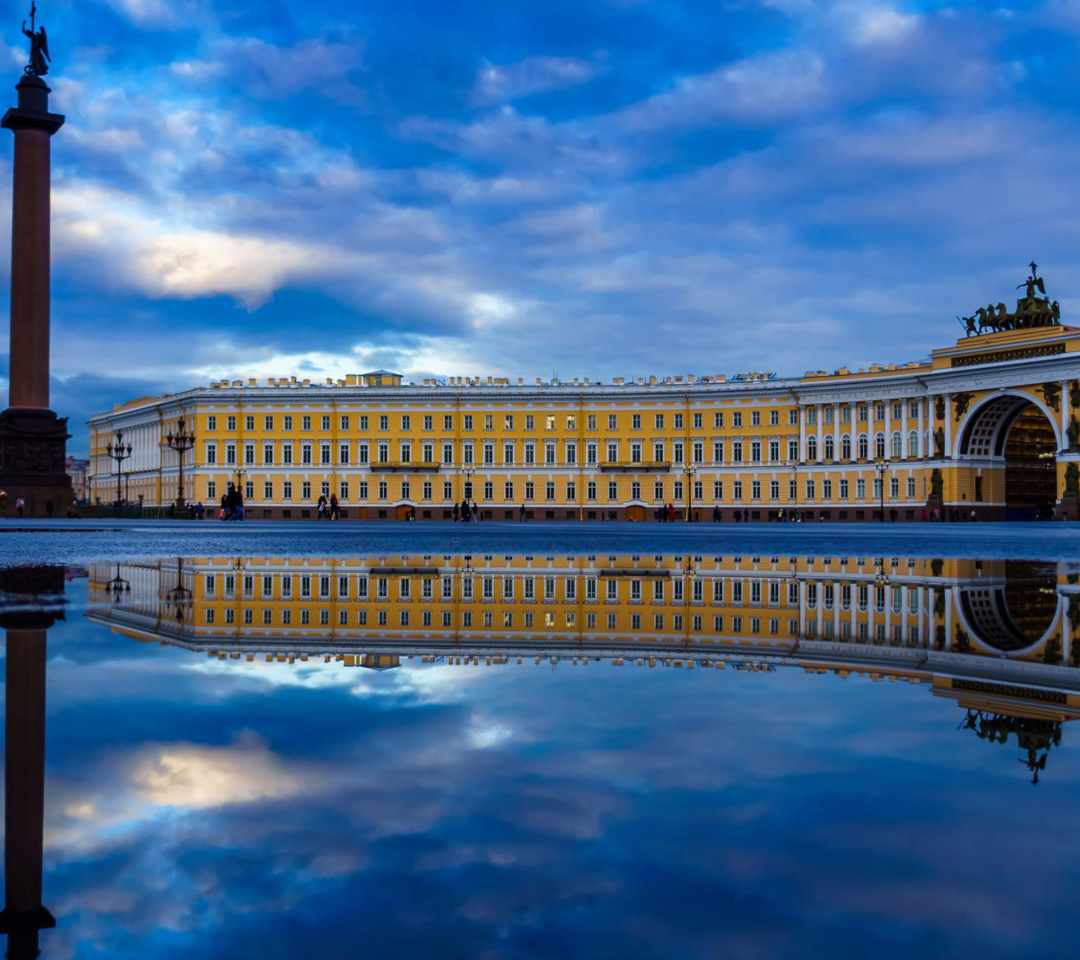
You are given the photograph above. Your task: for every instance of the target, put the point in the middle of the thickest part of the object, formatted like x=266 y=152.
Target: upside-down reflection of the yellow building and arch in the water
x=996 y=638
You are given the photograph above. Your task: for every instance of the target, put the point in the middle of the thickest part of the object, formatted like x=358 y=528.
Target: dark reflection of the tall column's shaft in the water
x=24 y=915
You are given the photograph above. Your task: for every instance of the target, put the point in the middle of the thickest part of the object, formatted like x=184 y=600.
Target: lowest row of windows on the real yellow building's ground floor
x=663 y=492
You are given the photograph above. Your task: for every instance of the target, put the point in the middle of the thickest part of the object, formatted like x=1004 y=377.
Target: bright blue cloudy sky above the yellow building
x=600 y=188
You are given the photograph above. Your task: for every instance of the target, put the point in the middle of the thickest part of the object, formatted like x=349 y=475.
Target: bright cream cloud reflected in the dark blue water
x=195 y=777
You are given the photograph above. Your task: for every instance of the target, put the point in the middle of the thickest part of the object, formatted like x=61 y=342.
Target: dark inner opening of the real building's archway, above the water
x=1031 y=467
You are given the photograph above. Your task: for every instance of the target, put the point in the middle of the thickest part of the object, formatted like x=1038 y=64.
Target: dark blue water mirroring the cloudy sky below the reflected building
x=223 y=808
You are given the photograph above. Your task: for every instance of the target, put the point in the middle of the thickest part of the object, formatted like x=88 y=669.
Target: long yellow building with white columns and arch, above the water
x=988 y=426
